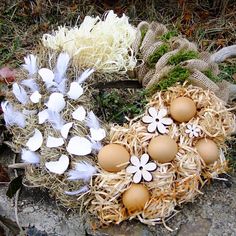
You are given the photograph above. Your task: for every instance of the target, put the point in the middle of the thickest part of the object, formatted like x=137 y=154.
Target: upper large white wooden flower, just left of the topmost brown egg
x=157 y=120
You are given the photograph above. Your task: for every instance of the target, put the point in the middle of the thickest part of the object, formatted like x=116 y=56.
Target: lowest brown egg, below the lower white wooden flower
x=135 y=198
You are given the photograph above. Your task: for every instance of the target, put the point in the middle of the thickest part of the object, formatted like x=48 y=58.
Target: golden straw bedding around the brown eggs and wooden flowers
x=173 y=183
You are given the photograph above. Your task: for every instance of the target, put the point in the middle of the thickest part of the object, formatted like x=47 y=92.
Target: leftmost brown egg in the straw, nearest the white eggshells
x=113 y=157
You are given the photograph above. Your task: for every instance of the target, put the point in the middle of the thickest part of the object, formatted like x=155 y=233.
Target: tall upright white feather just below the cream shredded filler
x=61 y=67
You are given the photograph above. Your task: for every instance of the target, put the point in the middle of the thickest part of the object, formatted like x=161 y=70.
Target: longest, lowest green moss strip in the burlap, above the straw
x=176 y=75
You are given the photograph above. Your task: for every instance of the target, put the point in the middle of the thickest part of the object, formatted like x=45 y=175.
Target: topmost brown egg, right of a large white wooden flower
x=182 y=109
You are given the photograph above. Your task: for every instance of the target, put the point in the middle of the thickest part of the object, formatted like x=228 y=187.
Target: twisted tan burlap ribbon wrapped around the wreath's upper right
x=144 y=47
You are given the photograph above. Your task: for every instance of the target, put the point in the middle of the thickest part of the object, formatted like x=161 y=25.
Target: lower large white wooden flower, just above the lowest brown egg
x=141 y=168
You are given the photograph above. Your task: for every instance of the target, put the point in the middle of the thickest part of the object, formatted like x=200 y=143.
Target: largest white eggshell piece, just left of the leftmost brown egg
x=79 y=146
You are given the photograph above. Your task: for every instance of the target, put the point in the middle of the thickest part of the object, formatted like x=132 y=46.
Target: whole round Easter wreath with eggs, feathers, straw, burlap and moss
x=144 y=168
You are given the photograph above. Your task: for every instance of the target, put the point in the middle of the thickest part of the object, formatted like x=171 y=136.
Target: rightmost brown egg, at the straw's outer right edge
x=208 y=150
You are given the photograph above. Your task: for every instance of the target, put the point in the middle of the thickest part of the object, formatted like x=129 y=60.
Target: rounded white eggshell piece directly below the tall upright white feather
x=56 y=102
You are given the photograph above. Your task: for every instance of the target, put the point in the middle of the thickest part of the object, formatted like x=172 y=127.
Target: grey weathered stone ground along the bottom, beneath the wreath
x=212 y=214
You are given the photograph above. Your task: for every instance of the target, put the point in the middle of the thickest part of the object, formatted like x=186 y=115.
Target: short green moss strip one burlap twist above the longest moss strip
x=182 y=56
